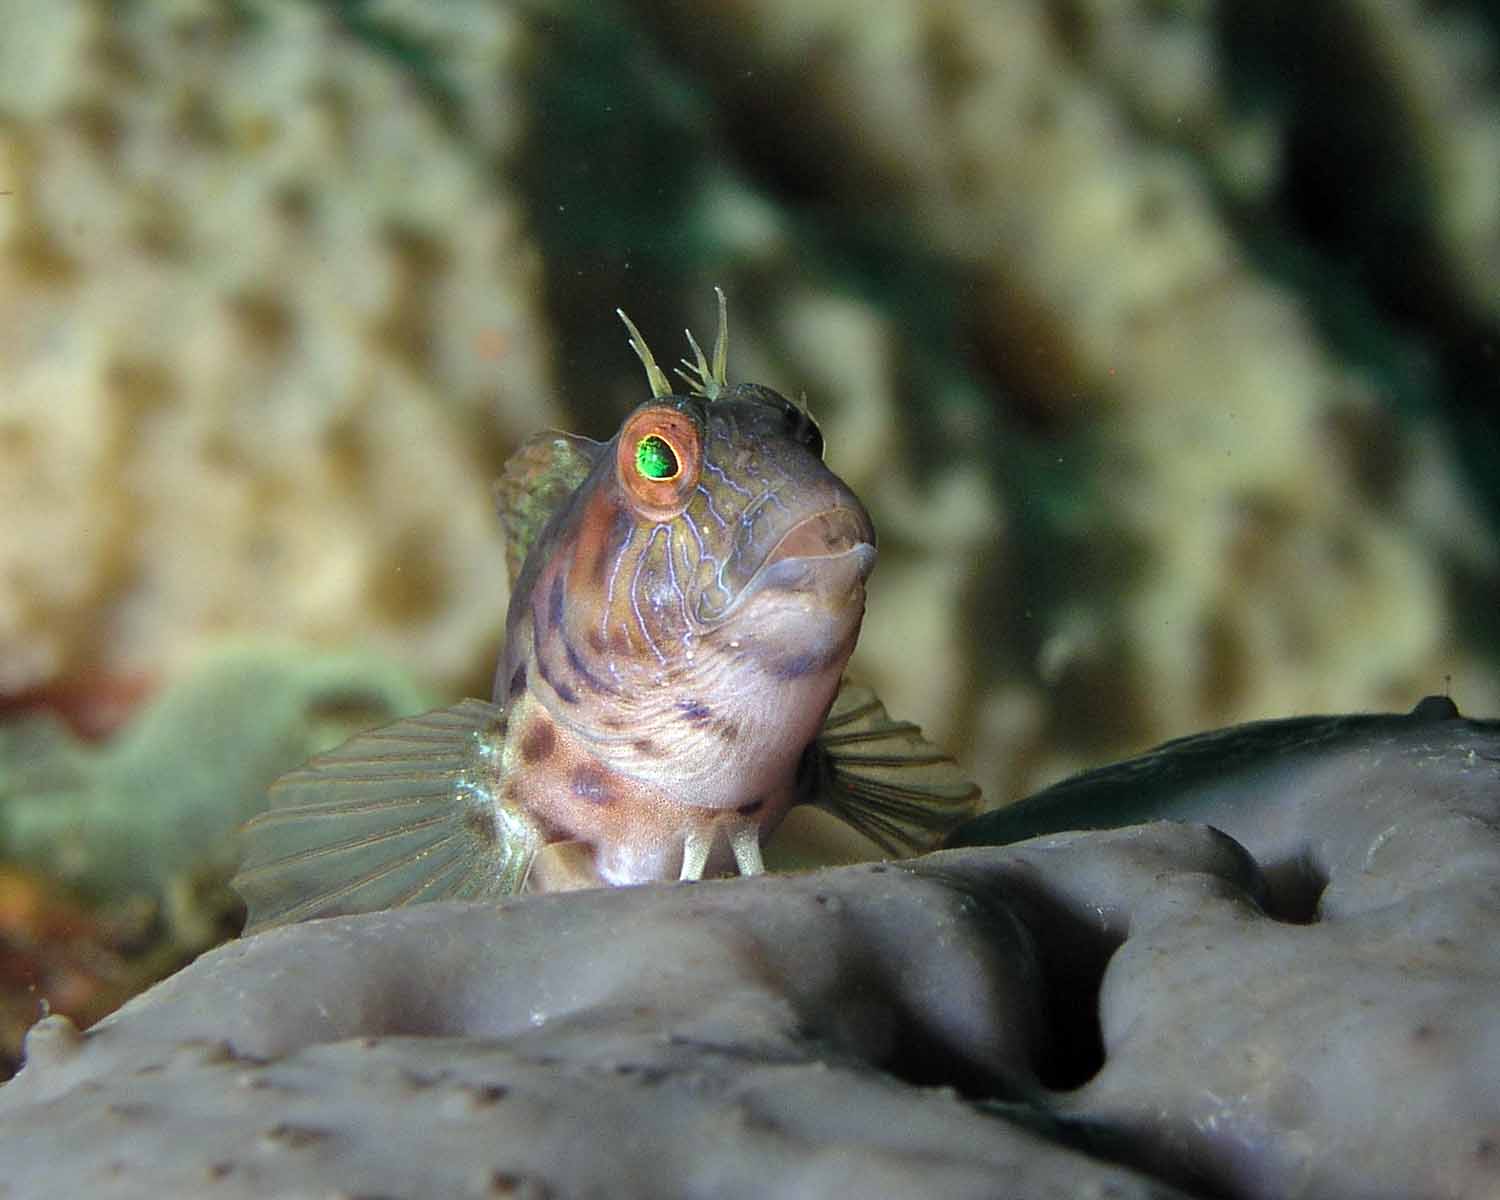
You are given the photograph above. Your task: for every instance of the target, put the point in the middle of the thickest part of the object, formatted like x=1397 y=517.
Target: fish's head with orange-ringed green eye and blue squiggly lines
x=713 y=527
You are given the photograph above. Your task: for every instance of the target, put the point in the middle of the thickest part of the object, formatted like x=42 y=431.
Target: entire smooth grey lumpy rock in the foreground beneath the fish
x=1141 y=1007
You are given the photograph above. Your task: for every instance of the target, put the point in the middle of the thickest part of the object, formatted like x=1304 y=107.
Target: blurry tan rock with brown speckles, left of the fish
x=268 y=326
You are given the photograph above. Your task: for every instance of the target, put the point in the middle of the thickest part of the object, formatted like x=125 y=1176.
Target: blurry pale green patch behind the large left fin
x=157 y=808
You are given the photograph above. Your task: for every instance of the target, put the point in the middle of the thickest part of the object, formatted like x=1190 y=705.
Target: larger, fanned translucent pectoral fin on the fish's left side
x=395 y=817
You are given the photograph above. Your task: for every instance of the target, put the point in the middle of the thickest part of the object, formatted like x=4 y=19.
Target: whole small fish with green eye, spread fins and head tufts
x=685 y=601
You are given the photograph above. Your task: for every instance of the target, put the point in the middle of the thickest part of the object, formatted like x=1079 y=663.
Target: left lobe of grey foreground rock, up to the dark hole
x=665 y=1042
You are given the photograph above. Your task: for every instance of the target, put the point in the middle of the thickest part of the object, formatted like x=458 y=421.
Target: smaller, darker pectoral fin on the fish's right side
x=884 y=779
